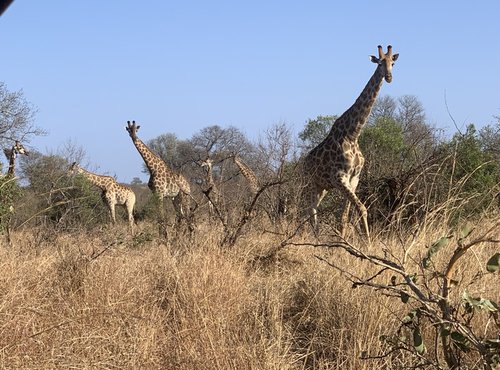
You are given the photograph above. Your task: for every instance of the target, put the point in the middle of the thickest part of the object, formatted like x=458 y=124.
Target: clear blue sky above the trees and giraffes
x=180 y=66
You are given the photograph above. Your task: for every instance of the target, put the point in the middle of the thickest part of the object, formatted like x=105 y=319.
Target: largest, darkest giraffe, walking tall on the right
x=337 y=161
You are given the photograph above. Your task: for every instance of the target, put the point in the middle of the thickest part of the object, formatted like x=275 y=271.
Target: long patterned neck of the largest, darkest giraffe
x=349 y=124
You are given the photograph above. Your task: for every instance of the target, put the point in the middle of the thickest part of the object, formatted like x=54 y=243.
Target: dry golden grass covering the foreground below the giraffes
x=106 y=300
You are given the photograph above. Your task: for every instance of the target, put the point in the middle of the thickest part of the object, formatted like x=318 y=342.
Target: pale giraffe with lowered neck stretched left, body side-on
x=113 y=193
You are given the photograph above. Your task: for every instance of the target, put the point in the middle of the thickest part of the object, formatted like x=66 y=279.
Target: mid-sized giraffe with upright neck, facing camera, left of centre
x=163 y=181
